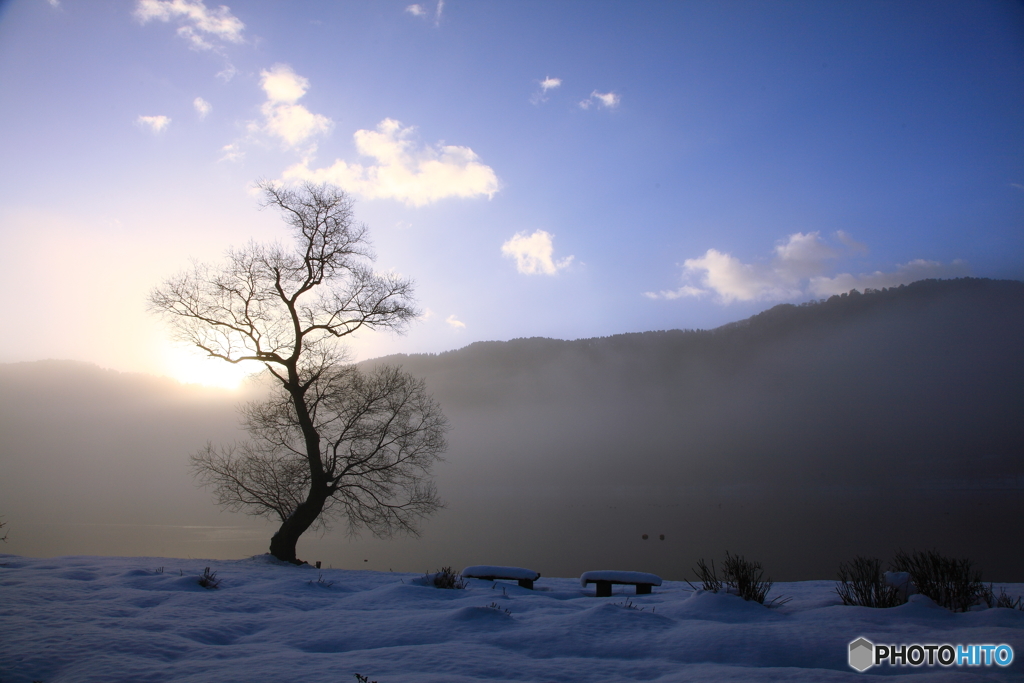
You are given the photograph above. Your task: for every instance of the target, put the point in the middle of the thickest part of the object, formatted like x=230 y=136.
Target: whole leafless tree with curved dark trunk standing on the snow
x=332 y=441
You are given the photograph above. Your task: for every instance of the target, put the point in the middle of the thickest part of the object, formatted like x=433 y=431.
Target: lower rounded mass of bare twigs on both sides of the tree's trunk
x=380 y=435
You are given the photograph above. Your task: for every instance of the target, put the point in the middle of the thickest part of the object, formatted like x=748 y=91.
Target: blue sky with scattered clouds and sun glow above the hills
x=561 y=169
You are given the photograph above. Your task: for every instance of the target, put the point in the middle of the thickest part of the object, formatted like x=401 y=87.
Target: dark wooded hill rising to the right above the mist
x=930 y=374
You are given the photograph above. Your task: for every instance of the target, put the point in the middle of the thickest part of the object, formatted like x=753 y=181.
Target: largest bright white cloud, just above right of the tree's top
x=405 y=172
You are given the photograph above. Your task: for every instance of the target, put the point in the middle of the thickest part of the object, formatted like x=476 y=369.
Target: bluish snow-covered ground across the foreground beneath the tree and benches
x=142 y=619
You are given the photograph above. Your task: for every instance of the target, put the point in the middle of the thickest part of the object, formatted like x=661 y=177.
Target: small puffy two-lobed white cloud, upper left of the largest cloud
x=292 y=123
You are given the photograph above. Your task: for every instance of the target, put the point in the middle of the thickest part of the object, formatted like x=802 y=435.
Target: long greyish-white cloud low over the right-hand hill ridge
x=797 y=270
